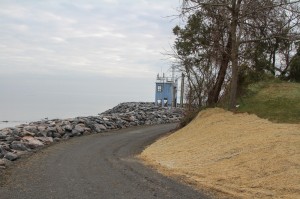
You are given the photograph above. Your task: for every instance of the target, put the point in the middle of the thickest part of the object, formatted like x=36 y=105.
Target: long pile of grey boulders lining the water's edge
x=24 y=138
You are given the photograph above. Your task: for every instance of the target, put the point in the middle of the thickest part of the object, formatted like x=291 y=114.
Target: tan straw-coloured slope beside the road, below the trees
x=240 y=155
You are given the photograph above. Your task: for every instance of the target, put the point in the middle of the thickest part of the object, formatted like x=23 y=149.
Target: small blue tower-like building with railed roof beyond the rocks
x=166 y=91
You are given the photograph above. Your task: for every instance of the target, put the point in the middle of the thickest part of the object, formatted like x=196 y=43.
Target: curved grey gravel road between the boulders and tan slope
x=95 y=166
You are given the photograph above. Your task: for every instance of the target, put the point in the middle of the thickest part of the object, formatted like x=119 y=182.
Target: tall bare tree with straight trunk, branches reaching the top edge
x=240 y=16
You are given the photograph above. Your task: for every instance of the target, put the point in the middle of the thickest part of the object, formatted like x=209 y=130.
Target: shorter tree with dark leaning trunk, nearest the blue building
x=202 y=52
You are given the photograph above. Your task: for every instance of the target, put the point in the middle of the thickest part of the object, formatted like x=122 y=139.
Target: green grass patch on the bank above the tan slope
x=276 y=101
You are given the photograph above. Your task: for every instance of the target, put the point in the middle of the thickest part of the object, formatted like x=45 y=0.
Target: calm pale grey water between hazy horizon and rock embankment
x=32 y=98
